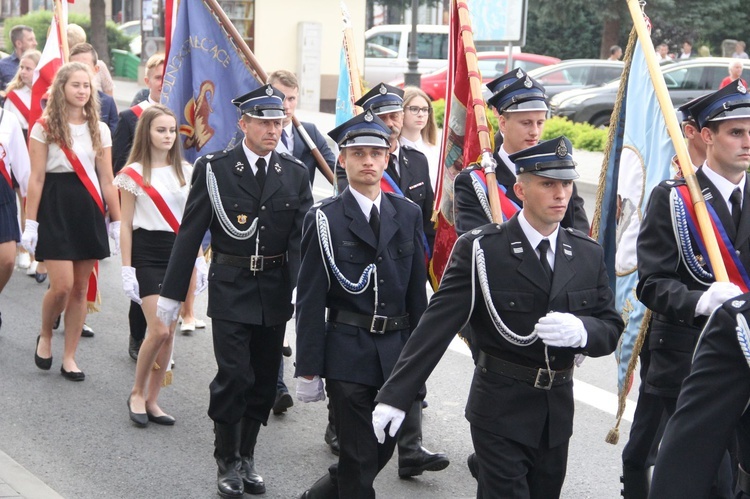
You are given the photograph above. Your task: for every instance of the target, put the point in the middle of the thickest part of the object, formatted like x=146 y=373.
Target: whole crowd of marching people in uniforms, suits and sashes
x=351 y=269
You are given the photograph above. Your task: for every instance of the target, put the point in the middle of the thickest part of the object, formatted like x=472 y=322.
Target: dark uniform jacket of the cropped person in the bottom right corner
x=712 y=404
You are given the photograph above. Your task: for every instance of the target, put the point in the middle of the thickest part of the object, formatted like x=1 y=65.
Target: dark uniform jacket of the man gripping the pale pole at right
x=670 y=290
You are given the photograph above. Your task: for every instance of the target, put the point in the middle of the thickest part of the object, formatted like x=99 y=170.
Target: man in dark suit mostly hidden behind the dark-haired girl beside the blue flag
x=122 y=142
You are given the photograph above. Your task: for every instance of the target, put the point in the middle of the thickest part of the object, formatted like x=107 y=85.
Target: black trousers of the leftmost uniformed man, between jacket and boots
x=248 y=358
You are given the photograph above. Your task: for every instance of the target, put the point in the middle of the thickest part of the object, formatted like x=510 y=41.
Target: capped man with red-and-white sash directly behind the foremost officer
x=521 y=108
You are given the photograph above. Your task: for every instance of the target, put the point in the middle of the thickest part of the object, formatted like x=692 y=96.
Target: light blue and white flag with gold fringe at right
x=641 y=158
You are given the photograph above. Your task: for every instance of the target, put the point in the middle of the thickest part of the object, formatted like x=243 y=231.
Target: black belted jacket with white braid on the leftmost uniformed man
x=234 y=293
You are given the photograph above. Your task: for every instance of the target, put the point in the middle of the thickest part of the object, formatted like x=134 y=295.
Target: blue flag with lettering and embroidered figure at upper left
x=204 y=72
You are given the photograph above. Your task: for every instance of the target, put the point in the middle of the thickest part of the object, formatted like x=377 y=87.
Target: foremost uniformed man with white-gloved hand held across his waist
x=520 y=404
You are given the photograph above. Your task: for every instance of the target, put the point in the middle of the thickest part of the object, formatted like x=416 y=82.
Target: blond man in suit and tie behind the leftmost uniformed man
x=293 y=143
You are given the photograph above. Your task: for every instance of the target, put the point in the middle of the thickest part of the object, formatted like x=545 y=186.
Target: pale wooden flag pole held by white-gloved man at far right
x=686 y=165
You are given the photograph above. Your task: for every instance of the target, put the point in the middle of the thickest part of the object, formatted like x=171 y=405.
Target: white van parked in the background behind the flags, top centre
x=387 y=50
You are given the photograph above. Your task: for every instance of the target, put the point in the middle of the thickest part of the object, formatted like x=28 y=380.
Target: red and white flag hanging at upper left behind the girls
x=51 y=60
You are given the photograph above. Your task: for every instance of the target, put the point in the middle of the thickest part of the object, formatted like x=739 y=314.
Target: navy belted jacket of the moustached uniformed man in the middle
x=348 y=353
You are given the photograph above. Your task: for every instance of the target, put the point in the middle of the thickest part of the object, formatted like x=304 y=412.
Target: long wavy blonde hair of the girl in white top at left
x=56 y=113
